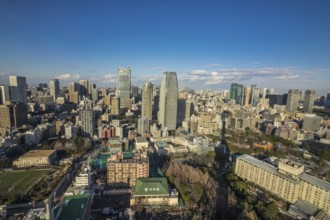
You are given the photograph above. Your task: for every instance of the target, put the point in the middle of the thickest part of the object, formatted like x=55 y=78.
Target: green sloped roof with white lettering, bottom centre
x=151 y=186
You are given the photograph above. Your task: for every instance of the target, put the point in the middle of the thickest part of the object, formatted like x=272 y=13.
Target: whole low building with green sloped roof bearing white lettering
x=154 y=191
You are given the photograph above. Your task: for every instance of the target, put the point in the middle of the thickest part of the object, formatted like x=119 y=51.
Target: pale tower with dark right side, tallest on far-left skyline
x=18 y=88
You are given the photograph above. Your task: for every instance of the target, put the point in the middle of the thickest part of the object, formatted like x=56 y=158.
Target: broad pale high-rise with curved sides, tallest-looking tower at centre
x=168 y=101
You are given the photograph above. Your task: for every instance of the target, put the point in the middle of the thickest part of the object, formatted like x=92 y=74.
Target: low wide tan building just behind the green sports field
x=36 y=157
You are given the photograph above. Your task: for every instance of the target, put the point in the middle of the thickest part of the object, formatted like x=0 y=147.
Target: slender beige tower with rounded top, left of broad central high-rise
x=147 y=101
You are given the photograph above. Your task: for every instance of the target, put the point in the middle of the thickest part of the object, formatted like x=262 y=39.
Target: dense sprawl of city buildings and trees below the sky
x=79 y=151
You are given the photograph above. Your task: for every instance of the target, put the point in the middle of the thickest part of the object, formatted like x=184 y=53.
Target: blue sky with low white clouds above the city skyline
x=279 y=44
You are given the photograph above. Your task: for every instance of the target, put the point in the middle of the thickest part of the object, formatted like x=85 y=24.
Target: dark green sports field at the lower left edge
x=19 y=181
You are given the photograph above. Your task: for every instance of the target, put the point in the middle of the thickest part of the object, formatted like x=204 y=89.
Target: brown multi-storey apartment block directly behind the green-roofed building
x=124 y=171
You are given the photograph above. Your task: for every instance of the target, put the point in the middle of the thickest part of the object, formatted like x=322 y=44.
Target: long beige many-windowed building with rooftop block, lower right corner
x=287 y=181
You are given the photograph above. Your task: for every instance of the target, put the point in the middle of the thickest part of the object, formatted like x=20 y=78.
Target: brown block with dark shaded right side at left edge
x=13 y=115
